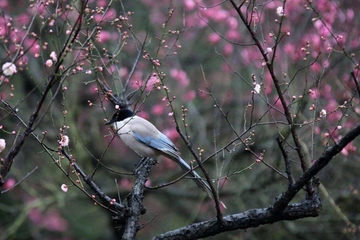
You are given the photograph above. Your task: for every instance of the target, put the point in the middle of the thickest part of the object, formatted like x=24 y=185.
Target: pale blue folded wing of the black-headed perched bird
x=160 y=142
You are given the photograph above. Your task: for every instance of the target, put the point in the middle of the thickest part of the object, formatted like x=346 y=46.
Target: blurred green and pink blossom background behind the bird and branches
x=211 y=67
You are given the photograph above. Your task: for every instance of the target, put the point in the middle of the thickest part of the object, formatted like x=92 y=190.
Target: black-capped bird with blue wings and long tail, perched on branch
x=146 y=140
